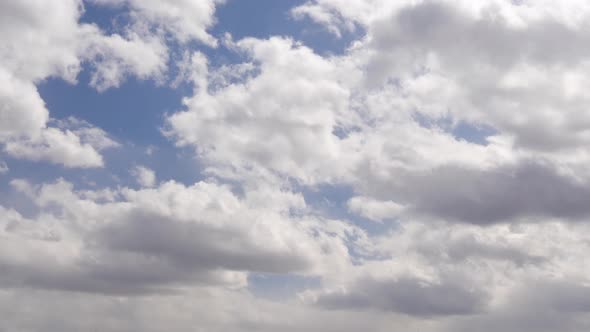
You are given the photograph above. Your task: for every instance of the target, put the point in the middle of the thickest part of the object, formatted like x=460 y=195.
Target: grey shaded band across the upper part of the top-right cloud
x=457 y=36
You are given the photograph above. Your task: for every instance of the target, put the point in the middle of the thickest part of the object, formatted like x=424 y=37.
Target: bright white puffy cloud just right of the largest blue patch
x=244 y=124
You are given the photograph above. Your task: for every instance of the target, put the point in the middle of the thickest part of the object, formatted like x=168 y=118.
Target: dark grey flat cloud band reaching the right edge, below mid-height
x=457 y=193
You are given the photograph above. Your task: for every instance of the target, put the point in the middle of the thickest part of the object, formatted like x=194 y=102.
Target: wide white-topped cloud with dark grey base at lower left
x=160 y=239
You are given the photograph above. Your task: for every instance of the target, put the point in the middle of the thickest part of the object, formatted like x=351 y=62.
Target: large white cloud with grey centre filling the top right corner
x=483 y=62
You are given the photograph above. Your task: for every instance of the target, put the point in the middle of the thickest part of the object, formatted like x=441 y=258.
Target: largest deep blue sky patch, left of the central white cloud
x=133 y=115
